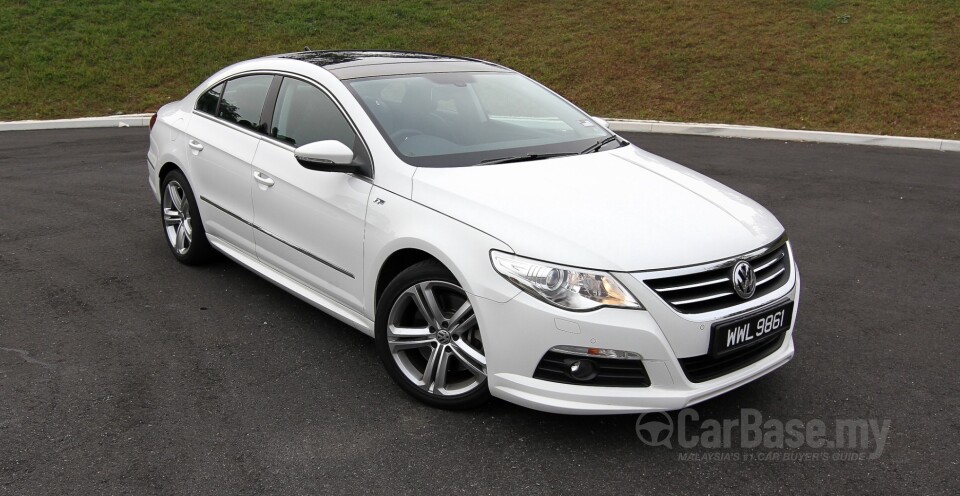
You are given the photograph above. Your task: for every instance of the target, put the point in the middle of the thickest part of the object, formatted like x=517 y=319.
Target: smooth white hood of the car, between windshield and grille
x=619 y=210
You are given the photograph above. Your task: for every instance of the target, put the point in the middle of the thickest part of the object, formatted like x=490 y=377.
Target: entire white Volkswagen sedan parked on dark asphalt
x=490 y=236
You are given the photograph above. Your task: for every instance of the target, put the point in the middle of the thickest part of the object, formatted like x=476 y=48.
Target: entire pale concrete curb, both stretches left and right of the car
x=620 y=125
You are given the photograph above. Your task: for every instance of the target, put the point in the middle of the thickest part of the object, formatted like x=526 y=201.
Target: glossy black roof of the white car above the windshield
x=352 y=64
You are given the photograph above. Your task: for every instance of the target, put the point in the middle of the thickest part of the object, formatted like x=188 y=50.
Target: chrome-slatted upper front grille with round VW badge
x=712 y=289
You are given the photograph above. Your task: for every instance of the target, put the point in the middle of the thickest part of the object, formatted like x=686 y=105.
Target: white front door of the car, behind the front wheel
x=309 y=223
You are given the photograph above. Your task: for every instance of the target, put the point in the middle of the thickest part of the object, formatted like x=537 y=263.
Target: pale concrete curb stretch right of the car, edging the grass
x=732 y=131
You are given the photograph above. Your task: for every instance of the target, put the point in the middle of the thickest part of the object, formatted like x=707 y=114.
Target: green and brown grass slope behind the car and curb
x=872 y=66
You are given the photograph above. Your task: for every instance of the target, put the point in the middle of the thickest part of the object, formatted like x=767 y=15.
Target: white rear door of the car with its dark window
x=223 y=138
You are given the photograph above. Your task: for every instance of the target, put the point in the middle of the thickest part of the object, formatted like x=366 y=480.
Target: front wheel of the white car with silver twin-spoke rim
x=459 y=345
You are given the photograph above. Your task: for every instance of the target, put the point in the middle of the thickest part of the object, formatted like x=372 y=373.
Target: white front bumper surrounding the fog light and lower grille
x=519 y=332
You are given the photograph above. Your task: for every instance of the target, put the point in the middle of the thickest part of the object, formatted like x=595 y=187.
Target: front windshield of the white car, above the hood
x=463 y=119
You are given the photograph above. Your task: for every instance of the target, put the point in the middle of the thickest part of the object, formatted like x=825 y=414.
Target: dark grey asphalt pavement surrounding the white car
x=122 y=371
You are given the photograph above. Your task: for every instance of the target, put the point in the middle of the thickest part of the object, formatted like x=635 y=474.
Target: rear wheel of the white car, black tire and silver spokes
x=194 y=248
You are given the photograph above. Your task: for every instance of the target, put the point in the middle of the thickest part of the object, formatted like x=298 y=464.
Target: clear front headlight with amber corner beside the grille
x=565 y=287
